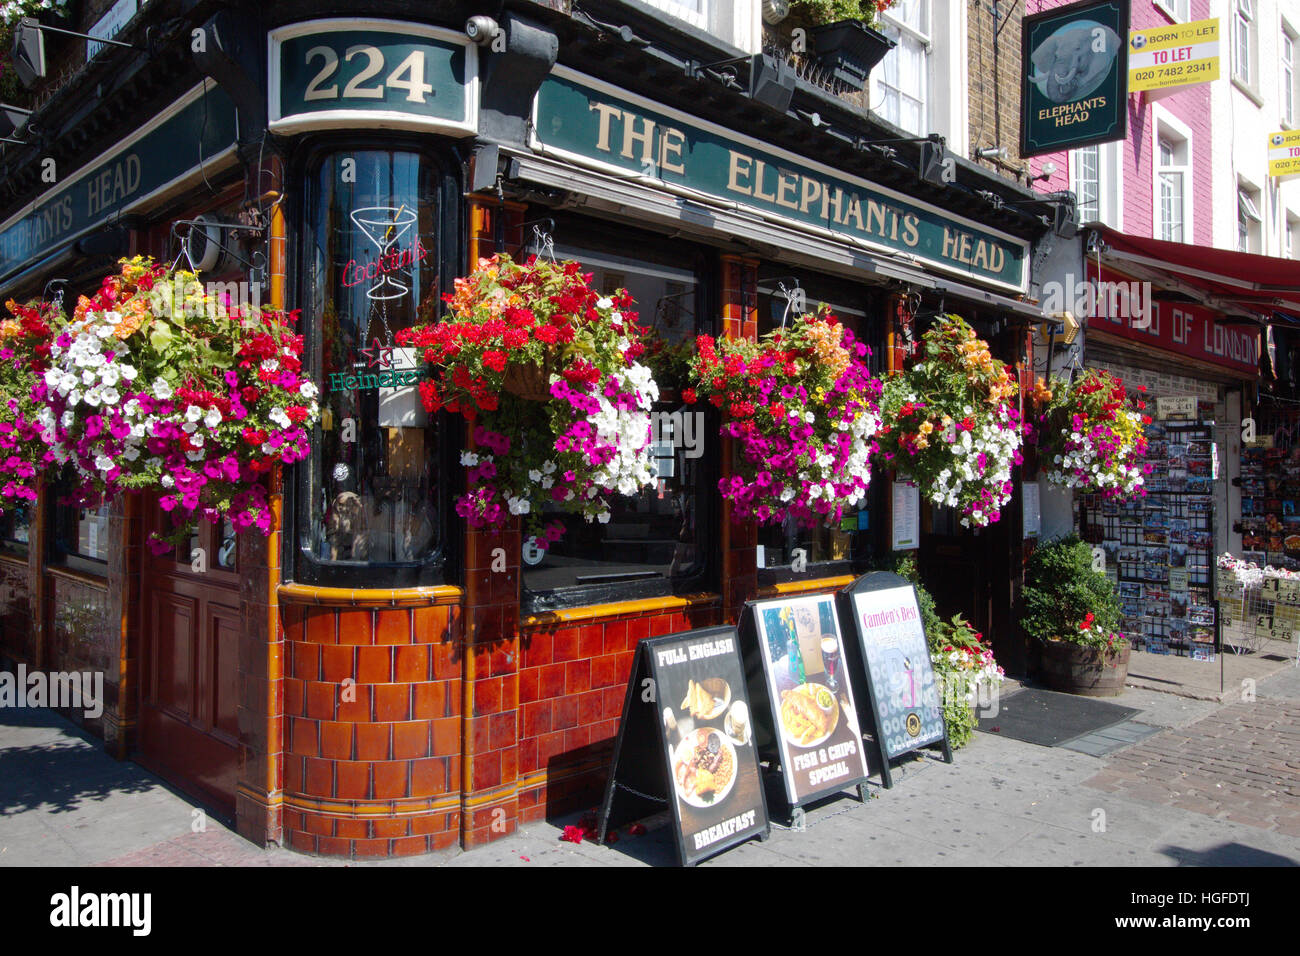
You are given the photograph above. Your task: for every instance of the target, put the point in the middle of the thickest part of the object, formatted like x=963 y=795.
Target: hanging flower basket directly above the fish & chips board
x=801 y=406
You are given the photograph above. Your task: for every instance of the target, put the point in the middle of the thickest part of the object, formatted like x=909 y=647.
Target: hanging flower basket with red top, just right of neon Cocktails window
x=547 y=371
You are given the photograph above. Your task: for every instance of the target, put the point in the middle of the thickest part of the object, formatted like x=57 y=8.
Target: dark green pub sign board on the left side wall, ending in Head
x=144 y=166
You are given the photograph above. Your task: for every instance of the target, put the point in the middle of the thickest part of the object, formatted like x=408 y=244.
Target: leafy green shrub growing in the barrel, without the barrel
x=1063 y=589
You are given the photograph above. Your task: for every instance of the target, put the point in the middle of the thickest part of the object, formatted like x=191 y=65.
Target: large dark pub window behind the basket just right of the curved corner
x=657 y=542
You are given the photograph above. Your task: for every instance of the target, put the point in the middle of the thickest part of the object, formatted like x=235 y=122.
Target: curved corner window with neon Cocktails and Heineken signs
x=369 y=500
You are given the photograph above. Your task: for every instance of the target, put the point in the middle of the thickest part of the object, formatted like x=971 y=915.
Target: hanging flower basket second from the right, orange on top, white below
x=951 y=423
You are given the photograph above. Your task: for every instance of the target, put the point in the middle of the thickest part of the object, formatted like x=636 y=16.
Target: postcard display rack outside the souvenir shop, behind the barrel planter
x=1160 y=548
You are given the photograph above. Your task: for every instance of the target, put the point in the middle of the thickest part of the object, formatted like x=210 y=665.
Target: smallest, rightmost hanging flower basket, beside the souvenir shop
x=1091 y=436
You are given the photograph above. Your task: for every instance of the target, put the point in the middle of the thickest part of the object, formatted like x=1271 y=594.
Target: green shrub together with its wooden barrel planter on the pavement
x=1073 y=612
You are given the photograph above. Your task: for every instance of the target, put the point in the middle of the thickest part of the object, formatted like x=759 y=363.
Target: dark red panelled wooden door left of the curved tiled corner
x=189 y=730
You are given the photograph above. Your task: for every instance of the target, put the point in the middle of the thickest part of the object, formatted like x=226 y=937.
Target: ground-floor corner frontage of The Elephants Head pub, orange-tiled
x=374 y=678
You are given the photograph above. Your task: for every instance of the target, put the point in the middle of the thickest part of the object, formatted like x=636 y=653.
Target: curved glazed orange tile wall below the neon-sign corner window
x=372 y=768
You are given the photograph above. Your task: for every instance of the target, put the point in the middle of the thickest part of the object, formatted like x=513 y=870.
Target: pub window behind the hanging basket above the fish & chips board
x=816 y=552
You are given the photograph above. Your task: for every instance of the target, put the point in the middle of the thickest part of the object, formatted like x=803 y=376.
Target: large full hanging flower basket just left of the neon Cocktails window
x=155 y=384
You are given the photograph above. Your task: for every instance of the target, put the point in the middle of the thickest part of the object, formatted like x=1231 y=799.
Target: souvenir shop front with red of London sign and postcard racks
x=1199 y=367
